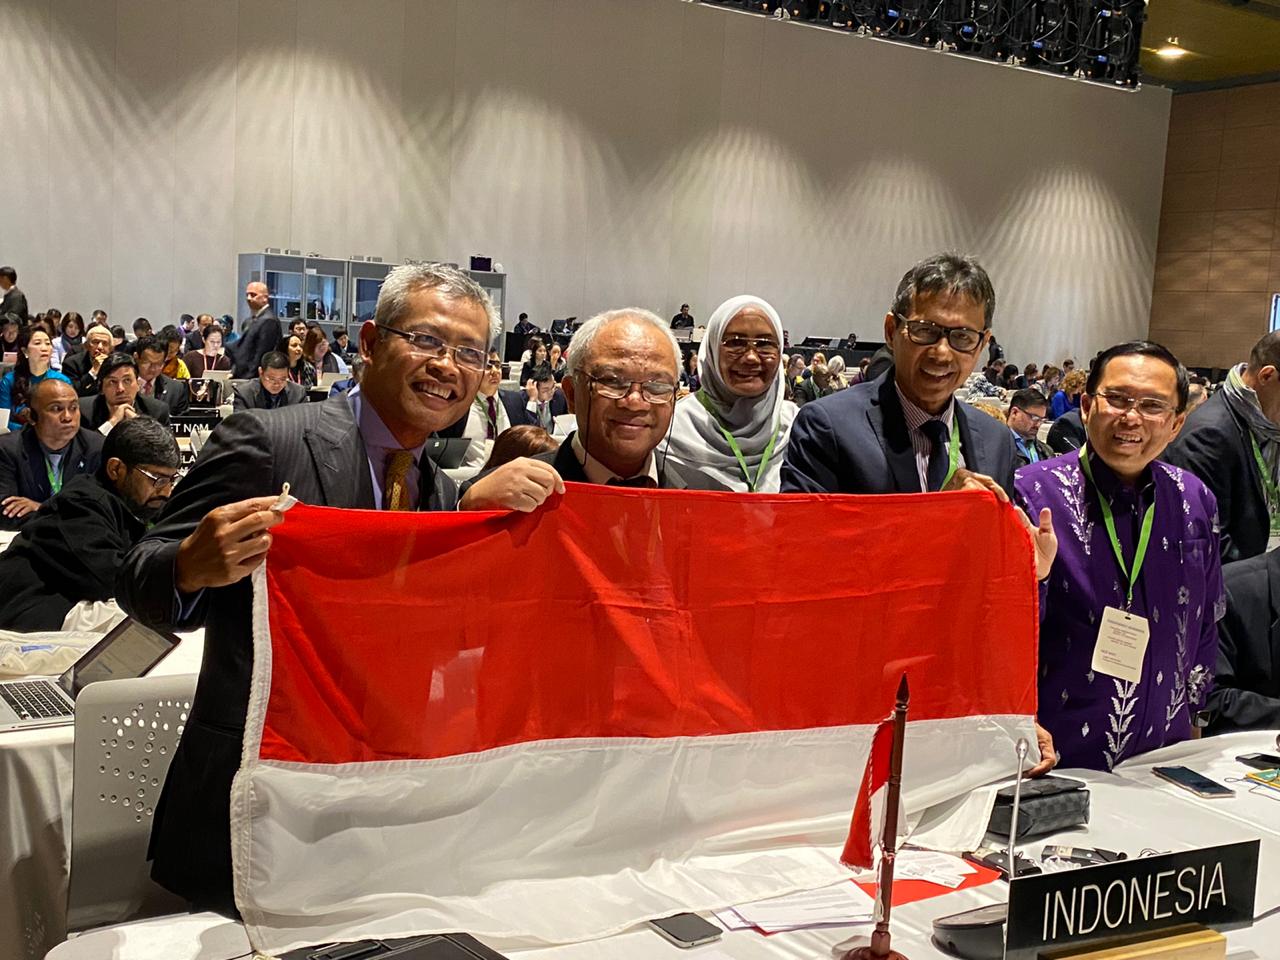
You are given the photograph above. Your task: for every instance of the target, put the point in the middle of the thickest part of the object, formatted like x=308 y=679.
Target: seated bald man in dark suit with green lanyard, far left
x=51 y=451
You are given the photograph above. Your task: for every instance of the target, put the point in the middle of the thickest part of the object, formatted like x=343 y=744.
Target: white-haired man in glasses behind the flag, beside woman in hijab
x=624 y=371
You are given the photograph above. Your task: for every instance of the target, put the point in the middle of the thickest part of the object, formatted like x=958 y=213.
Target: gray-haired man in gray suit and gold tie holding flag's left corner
x=424 y=356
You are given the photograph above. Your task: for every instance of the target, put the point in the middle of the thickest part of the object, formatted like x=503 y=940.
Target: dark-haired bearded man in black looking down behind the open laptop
x=74 y=548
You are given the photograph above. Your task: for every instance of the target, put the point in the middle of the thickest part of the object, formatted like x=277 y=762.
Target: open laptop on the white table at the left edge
x=130 y=651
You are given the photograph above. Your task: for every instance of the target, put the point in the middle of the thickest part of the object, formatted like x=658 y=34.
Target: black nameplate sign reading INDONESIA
x=1213 y=886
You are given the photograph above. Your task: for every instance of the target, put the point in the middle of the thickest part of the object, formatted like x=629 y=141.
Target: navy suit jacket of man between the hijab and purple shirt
x=857 y=442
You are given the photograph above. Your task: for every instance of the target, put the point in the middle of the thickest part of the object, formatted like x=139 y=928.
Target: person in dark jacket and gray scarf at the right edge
x=1233 y=444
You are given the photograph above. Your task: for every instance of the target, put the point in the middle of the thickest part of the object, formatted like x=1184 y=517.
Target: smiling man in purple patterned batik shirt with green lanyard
x=1137 y=557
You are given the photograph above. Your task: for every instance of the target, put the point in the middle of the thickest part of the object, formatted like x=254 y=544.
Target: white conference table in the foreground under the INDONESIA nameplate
x=1132 y=811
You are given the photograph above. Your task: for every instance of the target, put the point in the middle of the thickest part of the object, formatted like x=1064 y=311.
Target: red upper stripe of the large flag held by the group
x=627 y=614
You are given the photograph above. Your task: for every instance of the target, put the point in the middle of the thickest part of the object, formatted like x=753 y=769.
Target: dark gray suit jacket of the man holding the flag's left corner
x=318 y=450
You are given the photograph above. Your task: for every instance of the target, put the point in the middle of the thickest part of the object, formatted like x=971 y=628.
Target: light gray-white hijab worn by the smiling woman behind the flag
x=697 y=438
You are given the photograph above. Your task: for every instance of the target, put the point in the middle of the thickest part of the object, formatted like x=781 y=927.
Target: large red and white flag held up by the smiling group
x=548 y=728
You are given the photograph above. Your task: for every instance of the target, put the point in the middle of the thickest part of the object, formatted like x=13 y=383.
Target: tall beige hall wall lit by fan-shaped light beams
x=606 y=152
